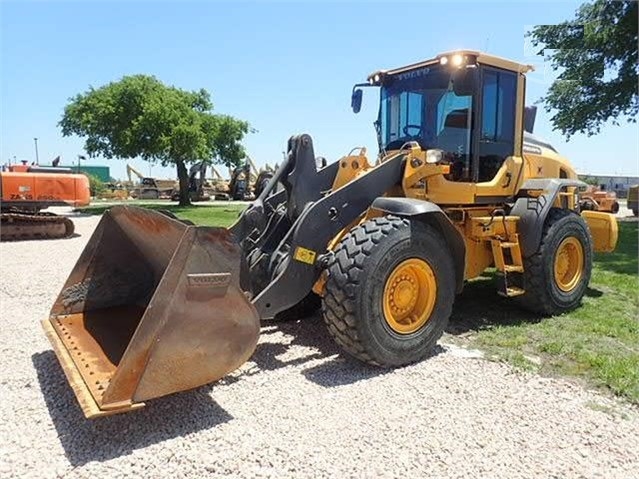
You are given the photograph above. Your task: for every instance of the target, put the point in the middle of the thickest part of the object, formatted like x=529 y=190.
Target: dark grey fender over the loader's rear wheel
x=533 y=210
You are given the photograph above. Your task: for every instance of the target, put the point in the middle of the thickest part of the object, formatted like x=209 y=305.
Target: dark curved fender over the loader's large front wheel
x=432 y=214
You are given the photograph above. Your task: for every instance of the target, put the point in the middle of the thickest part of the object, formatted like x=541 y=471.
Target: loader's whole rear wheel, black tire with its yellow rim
x=556 y=284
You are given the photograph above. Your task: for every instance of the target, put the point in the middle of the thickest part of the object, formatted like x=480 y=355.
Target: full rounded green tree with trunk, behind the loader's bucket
x=138 y=116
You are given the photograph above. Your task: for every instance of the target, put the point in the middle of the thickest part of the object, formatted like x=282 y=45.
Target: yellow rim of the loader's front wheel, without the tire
x=409 y=296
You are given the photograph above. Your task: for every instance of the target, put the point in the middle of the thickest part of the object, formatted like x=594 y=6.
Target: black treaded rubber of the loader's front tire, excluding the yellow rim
x=353 y=303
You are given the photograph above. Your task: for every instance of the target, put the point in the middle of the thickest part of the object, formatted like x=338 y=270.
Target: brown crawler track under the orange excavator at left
x=24 y=226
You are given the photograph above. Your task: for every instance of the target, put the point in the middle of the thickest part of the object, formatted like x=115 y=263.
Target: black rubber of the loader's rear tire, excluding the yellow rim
x=543 y=295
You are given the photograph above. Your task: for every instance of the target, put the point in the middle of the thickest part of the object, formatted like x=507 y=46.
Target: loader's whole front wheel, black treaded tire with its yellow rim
x=390 y=291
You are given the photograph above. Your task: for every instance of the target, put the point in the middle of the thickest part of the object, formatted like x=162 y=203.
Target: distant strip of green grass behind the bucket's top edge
x=201 y=214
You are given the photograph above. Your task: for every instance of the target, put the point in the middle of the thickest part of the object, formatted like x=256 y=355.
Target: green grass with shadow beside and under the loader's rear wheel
x=598 y=342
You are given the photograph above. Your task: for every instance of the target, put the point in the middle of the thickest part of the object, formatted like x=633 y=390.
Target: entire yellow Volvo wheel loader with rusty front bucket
x=155 y=306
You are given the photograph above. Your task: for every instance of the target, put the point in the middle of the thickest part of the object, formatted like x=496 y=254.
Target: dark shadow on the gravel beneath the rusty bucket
x=109 y=437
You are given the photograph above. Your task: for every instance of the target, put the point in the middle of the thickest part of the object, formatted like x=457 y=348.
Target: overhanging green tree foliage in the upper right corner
x=596 y=53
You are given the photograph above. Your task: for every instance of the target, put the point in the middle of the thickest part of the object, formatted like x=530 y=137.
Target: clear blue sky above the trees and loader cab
x=286 y=67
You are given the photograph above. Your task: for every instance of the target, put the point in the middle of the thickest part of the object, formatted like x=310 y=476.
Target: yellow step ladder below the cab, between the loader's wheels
x=509 y=264
